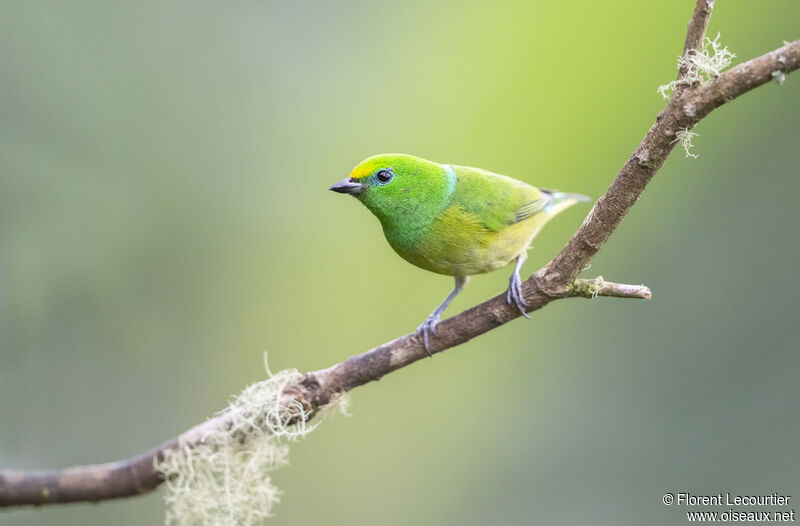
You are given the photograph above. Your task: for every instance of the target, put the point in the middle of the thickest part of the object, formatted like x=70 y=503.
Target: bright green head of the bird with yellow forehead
x=396 y=185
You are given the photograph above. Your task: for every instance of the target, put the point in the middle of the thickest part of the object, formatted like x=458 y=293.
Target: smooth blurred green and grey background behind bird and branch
x=165 y=219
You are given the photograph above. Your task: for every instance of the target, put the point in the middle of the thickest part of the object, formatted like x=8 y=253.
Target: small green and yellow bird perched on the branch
x=454 y=220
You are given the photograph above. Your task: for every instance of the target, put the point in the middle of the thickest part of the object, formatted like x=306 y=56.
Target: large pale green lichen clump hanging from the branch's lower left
x=224 y=479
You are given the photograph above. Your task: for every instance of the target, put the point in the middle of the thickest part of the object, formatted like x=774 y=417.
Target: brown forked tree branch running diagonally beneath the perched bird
x=556 y=280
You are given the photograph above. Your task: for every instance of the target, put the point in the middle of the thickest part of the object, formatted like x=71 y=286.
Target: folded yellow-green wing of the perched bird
x=497 y=200
